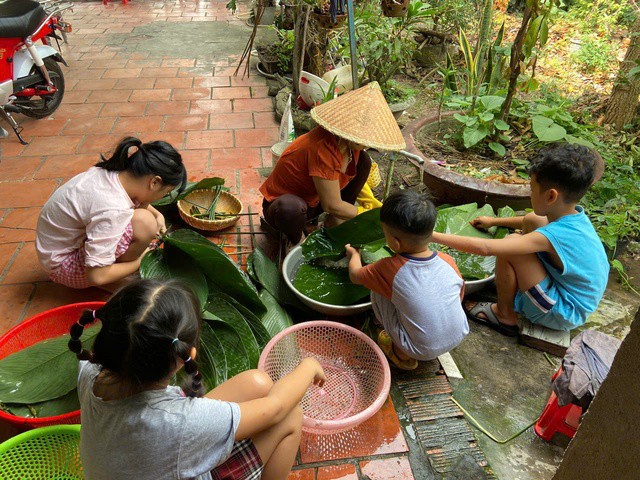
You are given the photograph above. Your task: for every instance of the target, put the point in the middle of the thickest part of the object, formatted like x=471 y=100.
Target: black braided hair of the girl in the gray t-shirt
x=140 y=325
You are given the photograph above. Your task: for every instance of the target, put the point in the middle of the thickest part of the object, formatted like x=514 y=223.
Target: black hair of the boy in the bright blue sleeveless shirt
x=568 y=167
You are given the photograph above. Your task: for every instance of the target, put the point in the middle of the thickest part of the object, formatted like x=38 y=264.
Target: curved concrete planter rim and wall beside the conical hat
x=451 y=187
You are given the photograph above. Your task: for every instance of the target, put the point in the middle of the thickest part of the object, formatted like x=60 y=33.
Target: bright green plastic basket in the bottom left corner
x=49 y=453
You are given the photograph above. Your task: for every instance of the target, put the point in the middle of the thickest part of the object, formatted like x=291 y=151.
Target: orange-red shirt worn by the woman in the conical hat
x=315 y=154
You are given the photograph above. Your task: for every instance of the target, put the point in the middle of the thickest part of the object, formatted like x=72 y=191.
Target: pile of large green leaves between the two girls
x=238 y=321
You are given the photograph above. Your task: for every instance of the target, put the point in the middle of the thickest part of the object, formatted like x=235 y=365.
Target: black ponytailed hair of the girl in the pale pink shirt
x=154 y=158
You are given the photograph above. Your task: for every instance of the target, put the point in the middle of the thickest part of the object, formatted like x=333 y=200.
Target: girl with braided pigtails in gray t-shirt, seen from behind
x=135 y=426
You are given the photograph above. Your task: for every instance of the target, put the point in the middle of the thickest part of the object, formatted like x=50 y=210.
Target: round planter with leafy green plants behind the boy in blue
x=481 y=128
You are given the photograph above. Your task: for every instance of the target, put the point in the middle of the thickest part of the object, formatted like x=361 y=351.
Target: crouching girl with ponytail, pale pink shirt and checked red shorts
x=95 y=228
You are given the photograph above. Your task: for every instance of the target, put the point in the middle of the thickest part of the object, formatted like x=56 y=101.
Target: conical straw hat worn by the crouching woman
x=361 y=116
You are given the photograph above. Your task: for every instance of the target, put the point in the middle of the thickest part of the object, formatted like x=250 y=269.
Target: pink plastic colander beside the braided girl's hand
x=358 y=376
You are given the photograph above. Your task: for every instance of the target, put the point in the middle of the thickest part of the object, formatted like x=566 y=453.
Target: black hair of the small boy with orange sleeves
x=409 y=211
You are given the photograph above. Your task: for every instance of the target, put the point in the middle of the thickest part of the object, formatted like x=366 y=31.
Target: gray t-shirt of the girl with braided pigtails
x=155 y=435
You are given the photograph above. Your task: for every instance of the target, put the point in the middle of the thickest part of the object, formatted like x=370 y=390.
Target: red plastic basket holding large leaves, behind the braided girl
x=49 y=324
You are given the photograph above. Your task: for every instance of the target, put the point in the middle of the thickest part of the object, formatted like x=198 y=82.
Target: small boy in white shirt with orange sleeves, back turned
x=417 y=293
